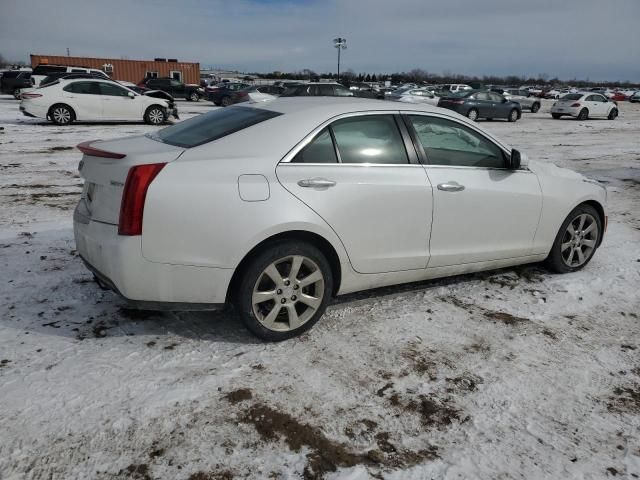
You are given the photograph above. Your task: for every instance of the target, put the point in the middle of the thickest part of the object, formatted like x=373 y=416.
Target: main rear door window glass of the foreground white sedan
x=369 y=139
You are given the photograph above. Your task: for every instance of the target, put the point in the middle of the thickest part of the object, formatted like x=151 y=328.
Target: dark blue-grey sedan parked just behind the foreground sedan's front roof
x=476 y=104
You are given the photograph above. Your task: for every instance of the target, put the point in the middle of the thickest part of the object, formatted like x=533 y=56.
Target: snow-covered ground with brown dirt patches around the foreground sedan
x=510 y=374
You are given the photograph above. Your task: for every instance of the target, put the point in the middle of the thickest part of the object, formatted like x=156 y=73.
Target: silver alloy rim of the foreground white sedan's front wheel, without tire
x=579 y=240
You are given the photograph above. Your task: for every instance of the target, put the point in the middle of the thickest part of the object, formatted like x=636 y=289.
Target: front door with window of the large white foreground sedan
x=482 y=211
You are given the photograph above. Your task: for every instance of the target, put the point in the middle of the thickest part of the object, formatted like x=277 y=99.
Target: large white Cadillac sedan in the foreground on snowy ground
x=278 y=206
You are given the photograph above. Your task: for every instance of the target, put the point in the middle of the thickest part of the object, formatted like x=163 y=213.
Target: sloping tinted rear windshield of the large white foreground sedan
x=212 y=126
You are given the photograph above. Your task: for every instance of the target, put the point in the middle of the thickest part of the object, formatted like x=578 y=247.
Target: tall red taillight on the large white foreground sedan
x=133 y=197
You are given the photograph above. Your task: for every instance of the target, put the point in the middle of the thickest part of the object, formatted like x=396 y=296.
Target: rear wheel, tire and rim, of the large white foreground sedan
x=283 y=291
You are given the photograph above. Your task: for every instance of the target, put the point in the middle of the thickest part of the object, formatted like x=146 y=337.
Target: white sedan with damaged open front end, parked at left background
x=66 y=101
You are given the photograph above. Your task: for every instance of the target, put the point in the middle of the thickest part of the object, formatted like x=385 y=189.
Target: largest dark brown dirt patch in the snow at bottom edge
x=327 y=455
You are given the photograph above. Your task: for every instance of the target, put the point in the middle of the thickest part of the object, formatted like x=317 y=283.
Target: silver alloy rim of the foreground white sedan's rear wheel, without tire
x=288 y=293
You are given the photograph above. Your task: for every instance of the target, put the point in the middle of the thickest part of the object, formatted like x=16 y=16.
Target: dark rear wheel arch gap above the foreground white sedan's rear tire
x=314 y=239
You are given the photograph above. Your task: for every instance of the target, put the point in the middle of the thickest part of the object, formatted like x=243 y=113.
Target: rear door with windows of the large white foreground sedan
x=357 y=175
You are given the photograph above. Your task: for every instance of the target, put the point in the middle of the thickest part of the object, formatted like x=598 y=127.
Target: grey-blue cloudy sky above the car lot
x=594 y=39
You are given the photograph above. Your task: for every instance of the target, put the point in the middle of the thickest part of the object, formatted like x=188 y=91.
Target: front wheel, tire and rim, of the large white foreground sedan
x=576 y=241
